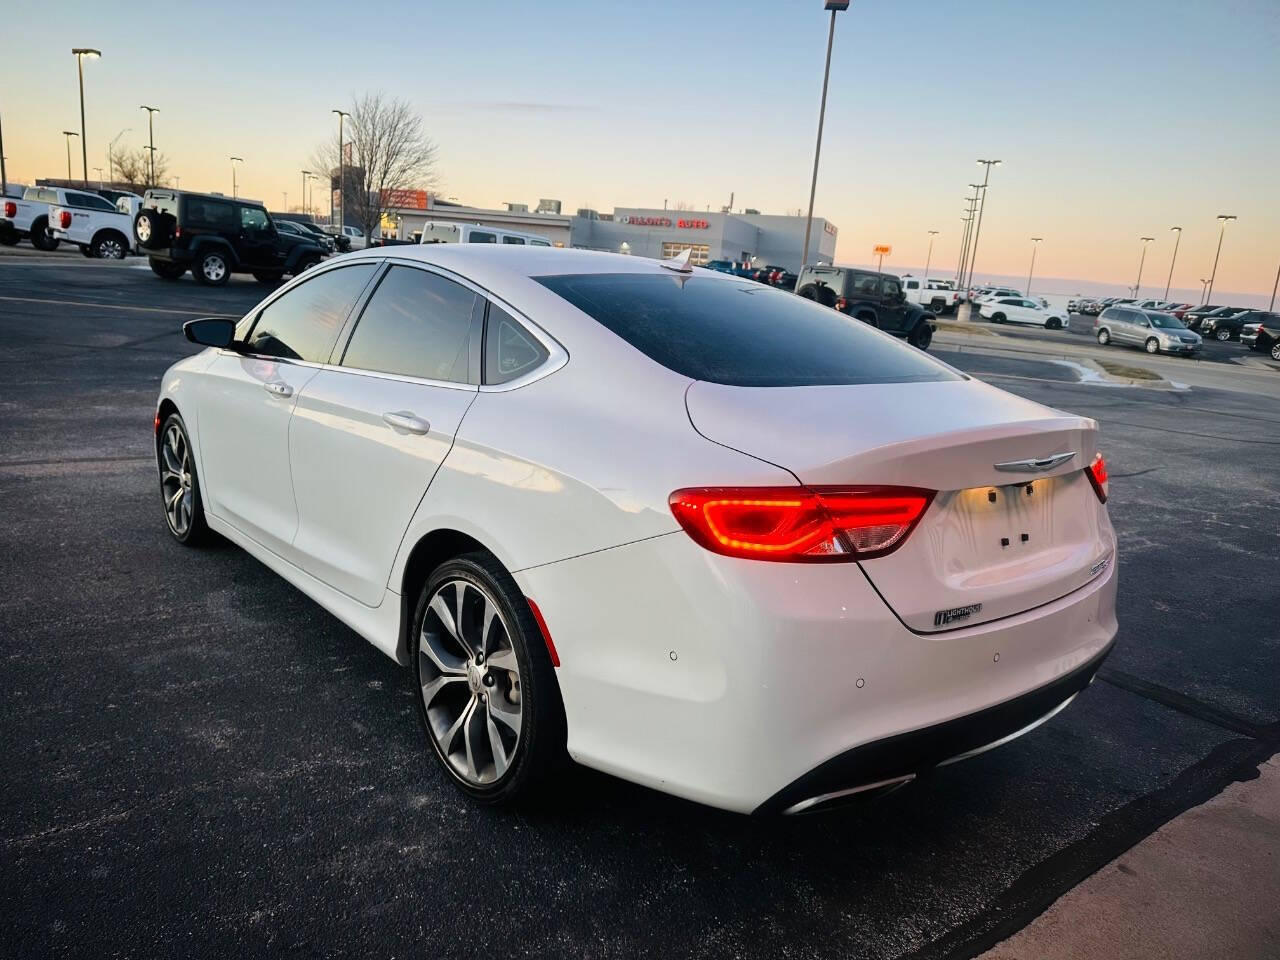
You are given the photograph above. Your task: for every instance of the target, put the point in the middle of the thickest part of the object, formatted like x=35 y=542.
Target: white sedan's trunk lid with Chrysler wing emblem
x=995 y=542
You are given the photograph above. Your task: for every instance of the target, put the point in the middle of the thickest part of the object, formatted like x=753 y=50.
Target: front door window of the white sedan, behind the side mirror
x=304 y=323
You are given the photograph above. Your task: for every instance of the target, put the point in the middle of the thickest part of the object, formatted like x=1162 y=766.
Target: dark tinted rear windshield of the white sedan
x=742 y=335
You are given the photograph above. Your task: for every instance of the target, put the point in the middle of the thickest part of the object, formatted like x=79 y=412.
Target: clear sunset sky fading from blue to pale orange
x=1114 y=120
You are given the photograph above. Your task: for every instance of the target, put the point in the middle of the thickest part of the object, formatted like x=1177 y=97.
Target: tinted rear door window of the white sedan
x=417 y=324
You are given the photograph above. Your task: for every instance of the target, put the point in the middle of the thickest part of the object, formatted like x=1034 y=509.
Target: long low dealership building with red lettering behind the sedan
x=764 y=239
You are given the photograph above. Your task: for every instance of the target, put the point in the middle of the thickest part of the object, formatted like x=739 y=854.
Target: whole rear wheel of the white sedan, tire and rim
x=487 y=693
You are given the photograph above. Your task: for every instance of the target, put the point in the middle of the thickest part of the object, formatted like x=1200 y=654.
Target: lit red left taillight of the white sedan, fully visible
x=799 y=524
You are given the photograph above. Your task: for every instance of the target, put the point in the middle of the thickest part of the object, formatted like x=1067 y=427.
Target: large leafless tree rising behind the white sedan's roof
x=387 y=150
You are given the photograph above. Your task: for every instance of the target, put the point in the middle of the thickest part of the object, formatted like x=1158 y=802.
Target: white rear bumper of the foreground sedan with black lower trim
x=730 y=682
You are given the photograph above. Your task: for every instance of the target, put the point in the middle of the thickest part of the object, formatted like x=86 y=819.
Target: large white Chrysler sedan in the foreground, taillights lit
x=675 y=525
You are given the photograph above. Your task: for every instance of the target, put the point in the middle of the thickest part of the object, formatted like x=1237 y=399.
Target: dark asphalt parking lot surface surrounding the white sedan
x=202 y=762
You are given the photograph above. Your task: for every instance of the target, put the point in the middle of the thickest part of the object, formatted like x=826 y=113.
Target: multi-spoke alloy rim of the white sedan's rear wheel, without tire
x=470 y=683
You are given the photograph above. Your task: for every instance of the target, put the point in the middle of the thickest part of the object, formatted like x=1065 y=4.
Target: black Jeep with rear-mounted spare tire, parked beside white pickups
x=216 y=237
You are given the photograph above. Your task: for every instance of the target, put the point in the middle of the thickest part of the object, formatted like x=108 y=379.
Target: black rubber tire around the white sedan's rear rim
x=540 y=749
